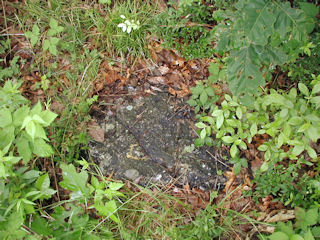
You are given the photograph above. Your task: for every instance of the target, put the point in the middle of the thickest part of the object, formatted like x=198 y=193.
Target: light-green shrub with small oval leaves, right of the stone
x=287 y=118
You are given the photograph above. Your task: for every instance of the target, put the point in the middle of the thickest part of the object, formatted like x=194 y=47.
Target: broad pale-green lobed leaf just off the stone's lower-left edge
x=73 y=181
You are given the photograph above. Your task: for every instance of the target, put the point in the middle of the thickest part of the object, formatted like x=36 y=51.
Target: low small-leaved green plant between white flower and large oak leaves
x=192 y=39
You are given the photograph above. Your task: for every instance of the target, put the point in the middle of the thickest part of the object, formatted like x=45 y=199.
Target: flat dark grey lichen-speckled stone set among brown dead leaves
x=149 y=140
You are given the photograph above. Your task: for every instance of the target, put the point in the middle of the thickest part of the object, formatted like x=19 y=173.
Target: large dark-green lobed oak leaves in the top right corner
x=259 y=35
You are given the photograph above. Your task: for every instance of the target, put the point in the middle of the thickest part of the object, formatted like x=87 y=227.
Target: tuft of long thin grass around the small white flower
x=139 y=18
